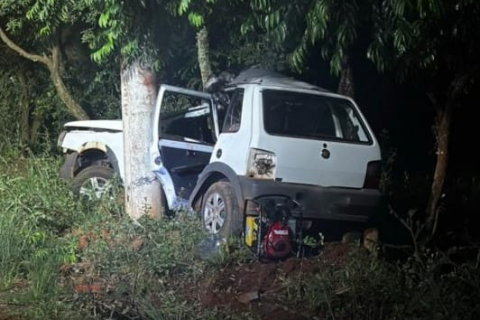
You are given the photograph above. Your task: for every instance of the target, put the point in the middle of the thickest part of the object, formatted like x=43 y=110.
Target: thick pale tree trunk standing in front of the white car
x=142 y=188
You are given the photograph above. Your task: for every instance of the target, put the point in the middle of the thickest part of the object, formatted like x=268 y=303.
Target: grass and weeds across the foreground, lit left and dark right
x=64 y=259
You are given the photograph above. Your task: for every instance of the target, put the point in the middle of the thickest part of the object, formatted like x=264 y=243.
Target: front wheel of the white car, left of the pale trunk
x=93 y=182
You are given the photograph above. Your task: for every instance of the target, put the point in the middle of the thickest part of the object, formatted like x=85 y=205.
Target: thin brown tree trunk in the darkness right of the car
x=442 y=124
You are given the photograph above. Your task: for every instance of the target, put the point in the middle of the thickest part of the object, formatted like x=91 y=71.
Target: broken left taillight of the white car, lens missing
x=261 y=164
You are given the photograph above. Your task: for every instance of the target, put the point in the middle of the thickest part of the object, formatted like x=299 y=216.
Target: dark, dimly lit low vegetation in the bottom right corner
x=366 y=288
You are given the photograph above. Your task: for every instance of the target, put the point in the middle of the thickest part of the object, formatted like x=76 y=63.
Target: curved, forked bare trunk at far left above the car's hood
x=53 y=64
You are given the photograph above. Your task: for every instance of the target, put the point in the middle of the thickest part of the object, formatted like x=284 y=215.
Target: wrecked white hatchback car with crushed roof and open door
x=276 y=137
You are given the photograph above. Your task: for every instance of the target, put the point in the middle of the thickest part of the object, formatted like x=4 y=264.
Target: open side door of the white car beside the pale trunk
x=186 y=130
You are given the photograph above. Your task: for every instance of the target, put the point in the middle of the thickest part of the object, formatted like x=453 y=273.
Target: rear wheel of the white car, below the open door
x=220 y=211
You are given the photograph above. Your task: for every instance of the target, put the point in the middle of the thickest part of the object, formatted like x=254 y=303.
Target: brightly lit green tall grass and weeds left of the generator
x=42 y=261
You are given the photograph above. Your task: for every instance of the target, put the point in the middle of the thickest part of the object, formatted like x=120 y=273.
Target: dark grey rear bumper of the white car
x=333 y=203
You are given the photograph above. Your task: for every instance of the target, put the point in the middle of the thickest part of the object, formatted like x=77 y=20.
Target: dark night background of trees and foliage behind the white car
x=410 y=64
